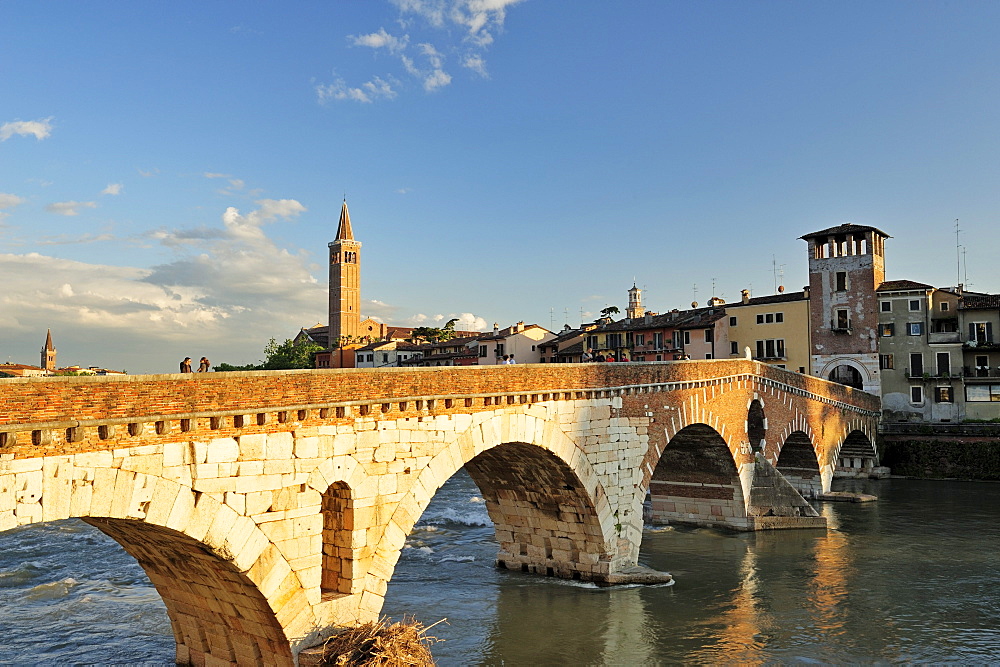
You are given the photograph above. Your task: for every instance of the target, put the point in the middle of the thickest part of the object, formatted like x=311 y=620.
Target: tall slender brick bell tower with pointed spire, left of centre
x=345 y=282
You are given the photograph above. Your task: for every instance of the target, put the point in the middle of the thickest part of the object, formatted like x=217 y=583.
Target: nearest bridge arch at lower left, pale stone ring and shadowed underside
x=228 y=591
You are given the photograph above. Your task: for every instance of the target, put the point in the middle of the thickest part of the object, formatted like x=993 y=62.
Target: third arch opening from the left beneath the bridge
x=696 y=481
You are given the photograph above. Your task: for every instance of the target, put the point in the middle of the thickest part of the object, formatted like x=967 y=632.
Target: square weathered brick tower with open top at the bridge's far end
x=846 y=266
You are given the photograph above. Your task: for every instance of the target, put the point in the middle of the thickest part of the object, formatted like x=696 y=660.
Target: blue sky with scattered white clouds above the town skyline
x=170 y=173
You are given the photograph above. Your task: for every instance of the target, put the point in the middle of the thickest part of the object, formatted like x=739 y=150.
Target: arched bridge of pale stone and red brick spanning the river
x=269 y=508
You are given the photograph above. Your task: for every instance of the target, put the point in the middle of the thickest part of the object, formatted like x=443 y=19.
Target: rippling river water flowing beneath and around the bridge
x=912 y=578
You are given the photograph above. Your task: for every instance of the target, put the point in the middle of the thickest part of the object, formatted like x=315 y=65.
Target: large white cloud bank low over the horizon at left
x=227 y=289
